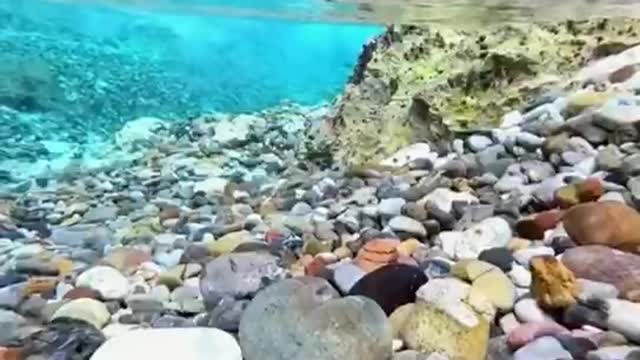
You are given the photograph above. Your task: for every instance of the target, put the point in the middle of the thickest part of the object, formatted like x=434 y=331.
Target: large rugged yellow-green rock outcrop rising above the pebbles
x=424 y=83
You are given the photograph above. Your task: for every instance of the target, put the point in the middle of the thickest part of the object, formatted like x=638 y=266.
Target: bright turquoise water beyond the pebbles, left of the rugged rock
x=71 y=71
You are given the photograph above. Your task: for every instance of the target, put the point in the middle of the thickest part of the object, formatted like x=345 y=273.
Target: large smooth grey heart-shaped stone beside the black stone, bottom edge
x=303 y=318
